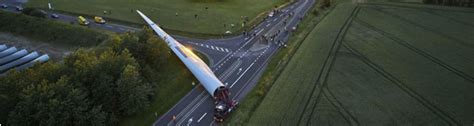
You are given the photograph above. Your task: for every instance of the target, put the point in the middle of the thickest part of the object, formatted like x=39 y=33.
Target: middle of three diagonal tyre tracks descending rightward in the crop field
x=418 y=51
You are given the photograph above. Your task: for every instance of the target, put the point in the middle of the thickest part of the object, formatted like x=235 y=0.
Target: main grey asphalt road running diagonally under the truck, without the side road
x=239 y=70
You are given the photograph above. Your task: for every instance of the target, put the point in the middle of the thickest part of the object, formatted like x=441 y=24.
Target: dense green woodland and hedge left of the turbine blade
x=89 y=87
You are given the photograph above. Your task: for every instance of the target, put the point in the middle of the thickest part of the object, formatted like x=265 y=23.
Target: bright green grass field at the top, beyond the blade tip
x=209 y=21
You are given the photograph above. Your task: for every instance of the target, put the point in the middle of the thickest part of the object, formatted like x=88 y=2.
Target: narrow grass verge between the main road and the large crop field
x=274 y=68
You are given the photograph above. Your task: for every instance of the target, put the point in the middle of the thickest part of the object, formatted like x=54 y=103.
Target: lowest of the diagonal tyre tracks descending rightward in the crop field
x=426 y=103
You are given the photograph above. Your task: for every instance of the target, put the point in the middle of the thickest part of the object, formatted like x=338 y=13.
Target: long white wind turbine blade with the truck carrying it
x=224 y=105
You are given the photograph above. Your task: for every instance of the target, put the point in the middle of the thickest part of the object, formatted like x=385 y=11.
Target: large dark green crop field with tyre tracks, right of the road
x=379 y=64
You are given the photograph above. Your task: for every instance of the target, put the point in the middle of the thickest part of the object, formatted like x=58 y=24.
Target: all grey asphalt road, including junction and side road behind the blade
x=237 y=61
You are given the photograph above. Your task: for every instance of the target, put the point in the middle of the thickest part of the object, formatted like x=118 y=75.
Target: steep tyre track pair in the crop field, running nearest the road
x=329 y=62
